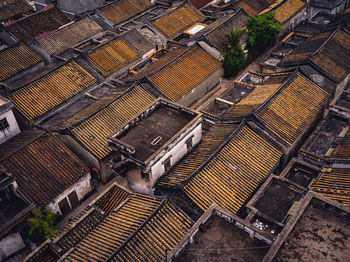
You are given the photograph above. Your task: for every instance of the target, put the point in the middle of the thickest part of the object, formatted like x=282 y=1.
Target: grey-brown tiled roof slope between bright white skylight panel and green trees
x=217 y=36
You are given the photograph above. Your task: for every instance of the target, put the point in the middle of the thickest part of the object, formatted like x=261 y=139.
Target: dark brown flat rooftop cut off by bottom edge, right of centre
x=222 y=241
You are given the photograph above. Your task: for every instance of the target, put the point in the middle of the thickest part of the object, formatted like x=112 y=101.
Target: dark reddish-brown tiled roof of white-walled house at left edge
x=44 y=169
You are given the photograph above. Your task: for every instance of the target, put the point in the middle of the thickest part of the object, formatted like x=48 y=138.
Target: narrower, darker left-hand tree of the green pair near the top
x=233 y=52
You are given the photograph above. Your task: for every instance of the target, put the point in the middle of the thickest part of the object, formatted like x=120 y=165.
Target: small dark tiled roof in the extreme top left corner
x=13 y=9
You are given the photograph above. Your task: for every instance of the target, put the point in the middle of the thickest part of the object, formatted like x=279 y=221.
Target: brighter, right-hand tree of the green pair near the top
x=262 y=30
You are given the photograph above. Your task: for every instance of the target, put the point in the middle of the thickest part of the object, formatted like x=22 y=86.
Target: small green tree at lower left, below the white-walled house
x=42 y=224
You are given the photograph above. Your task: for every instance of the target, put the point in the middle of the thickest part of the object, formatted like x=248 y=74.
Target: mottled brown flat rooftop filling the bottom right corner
x=317 y=236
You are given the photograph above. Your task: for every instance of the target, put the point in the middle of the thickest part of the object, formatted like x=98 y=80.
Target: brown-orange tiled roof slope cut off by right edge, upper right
x=328 y=58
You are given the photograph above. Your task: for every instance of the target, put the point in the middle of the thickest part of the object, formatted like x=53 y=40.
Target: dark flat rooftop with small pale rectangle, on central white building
x=153 y=131
